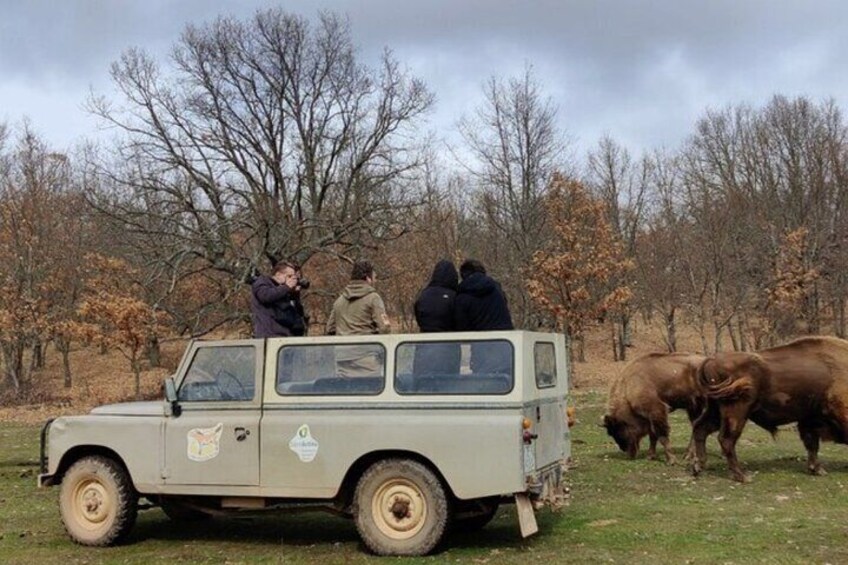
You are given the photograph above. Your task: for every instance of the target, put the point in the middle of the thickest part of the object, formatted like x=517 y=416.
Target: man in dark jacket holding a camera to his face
x=275 y=302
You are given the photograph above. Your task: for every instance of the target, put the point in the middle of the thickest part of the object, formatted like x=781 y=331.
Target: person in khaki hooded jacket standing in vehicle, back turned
x=359 y=310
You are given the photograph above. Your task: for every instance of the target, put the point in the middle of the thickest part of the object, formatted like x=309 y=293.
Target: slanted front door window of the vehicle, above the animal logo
x=220 y=374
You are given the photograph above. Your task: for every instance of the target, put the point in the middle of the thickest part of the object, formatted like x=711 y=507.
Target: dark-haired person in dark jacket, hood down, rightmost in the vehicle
x=481 y=306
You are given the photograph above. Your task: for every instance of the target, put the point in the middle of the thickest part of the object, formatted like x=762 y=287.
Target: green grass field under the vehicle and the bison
x=621 y=511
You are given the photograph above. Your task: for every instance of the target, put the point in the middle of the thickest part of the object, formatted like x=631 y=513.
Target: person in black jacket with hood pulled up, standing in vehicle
x=434 y=312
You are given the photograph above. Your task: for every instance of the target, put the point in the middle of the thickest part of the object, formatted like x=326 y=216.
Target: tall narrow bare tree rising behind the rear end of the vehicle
x=516 y=147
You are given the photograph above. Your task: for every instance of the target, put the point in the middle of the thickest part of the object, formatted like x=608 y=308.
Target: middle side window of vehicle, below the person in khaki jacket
x=352 y=369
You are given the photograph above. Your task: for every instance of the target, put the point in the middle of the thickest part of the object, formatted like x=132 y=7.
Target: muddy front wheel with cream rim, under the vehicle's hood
x=97 y=502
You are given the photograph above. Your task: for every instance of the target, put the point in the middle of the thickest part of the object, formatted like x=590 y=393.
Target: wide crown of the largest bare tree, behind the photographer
x=263 y=139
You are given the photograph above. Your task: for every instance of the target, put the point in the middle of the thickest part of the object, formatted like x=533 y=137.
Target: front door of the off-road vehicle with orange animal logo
x=215 y=438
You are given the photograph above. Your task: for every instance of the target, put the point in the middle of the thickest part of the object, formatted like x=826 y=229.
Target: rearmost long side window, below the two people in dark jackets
x=455 y=367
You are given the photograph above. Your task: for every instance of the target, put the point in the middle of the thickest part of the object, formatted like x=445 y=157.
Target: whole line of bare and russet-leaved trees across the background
x=269 y=138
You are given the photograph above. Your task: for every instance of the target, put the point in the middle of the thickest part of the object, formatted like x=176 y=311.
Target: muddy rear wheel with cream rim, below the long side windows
x=400 y=508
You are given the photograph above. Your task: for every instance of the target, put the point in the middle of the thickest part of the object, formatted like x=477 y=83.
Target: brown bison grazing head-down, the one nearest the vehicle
x=645 y=392
